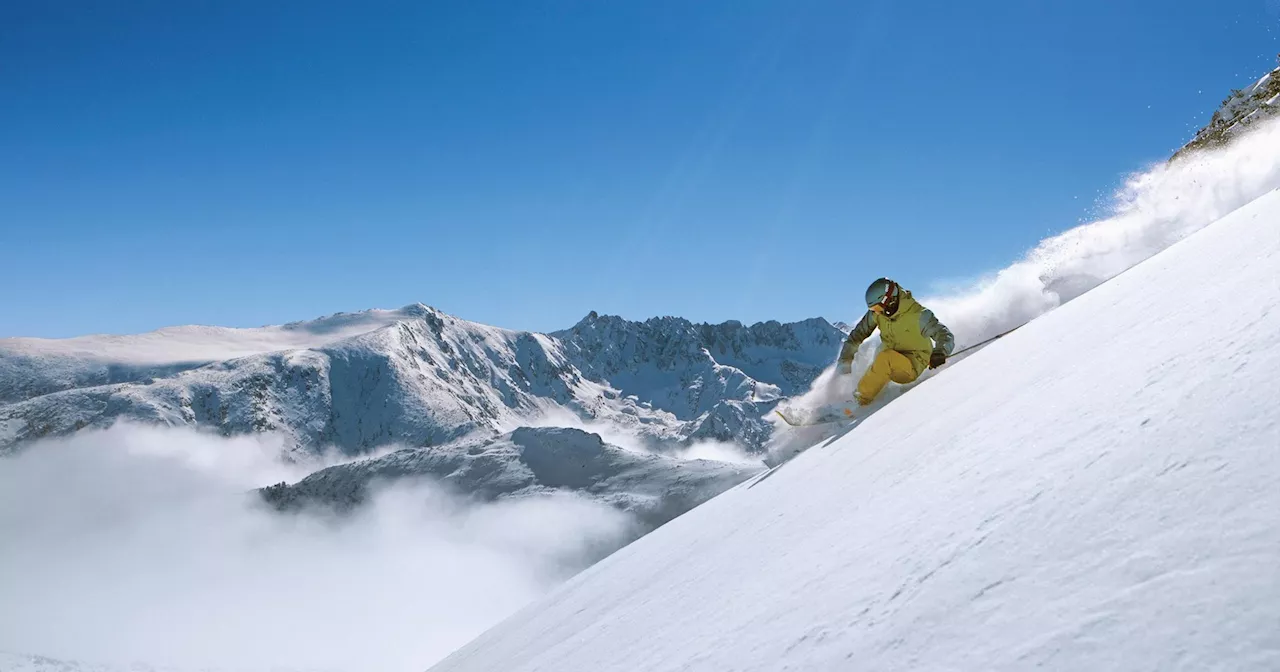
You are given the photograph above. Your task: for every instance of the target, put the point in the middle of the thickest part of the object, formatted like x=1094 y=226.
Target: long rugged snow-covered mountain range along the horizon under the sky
x=415 y=377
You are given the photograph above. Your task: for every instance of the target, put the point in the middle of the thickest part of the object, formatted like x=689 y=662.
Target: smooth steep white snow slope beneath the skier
x=1095 y=492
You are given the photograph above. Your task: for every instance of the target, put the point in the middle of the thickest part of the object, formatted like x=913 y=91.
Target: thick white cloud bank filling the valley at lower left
x=144 y=545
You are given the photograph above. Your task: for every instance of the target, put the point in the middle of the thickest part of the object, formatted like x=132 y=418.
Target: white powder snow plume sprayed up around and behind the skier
x=1151 y=212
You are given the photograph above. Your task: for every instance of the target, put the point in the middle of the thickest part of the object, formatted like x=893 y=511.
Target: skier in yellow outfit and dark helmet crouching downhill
x=912 y=339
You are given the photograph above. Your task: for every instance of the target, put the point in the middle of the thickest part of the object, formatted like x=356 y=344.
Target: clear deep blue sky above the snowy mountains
x=523 y=163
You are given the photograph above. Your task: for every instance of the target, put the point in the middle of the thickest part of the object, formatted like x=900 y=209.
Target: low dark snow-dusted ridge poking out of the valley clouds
x=532 y=461
